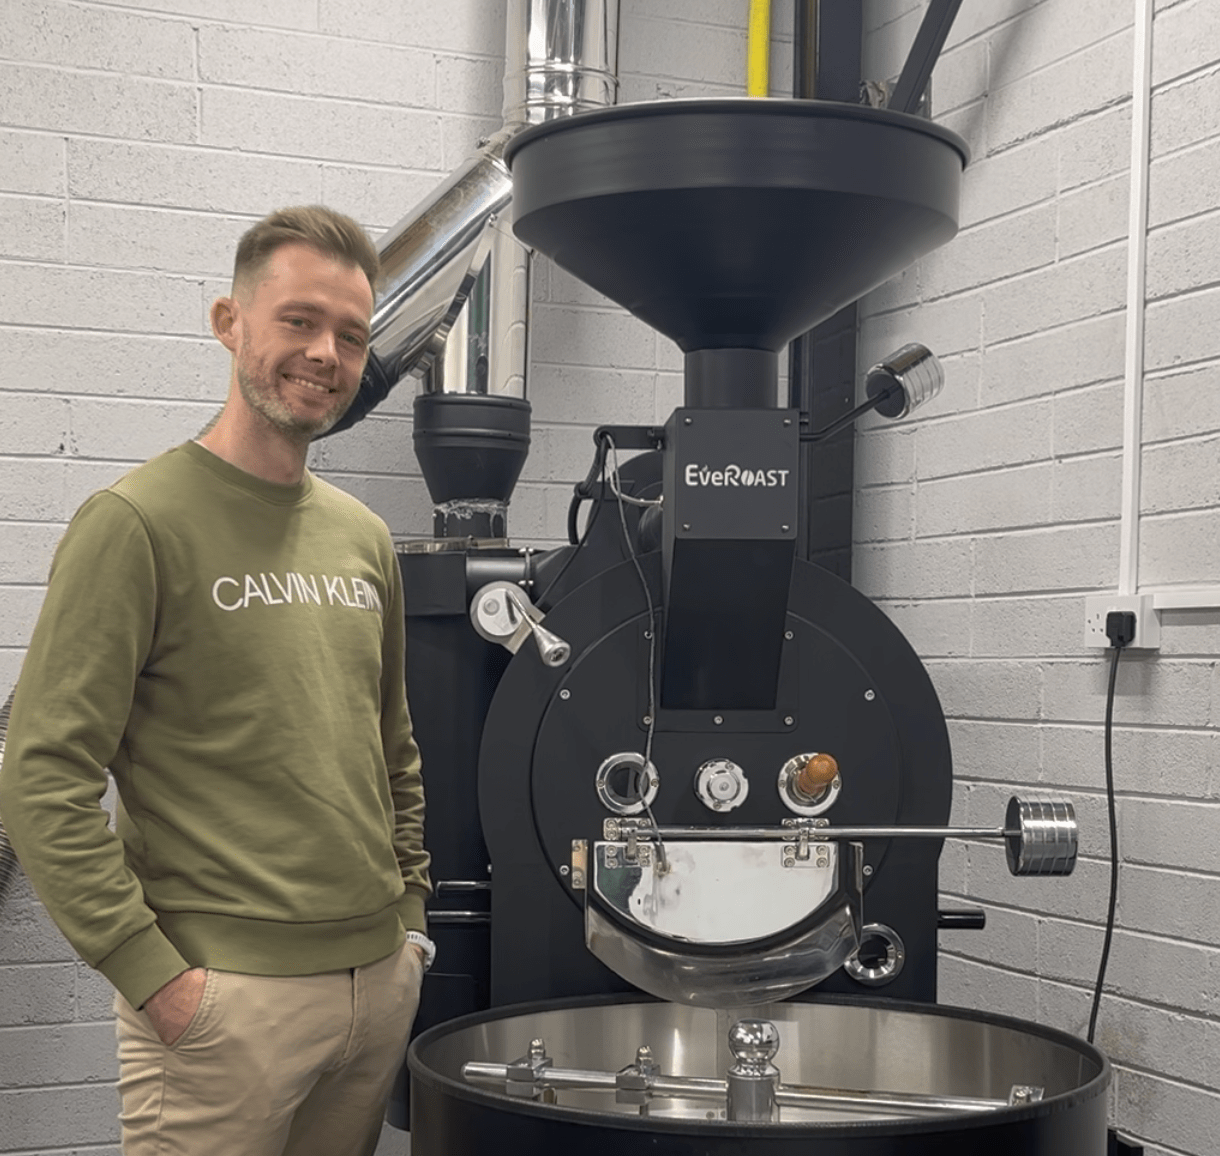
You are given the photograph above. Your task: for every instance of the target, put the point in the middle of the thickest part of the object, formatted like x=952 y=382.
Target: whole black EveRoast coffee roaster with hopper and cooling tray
x=687 y=792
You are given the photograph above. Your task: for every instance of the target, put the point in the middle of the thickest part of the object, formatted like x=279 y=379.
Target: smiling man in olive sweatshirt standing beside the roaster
x=226 y=633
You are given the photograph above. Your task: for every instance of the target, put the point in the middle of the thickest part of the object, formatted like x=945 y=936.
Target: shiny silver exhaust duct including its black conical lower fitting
x=456 y=304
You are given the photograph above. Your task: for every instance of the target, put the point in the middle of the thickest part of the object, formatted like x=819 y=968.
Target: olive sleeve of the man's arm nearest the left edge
x=69 y=716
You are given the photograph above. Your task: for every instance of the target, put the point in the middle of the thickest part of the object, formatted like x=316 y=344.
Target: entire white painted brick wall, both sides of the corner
x=137 y=141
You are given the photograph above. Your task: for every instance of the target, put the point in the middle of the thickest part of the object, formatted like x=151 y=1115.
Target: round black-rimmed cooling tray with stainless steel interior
x=923 y=1052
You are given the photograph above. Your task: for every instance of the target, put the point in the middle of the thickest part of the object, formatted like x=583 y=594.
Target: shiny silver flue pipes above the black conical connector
x=562 y=58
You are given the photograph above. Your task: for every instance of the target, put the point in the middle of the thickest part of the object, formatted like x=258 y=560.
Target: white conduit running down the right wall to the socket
x=1180 y=598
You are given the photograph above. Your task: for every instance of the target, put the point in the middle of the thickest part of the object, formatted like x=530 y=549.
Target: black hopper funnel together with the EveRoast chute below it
x=731 y=226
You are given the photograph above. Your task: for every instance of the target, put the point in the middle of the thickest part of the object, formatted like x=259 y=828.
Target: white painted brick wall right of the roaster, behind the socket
x=983 y=524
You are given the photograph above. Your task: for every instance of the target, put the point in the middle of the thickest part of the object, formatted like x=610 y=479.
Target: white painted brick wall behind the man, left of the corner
x=137 y=142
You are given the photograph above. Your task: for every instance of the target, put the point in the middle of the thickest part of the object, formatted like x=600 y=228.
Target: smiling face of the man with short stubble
x=302 y=340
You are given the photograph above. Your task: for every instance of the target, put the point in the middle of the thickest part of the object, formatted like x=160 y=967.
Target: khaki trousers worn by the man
x=270 y=1065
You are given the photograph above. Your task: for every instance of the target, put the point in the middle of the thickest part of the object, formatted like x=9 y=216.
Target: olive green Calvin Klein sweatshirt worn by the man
x=232 y=651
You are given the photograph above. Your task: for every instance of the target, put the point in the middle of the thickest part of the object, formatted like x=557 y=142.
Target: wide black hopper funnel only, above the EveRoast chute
x=736 y=224
